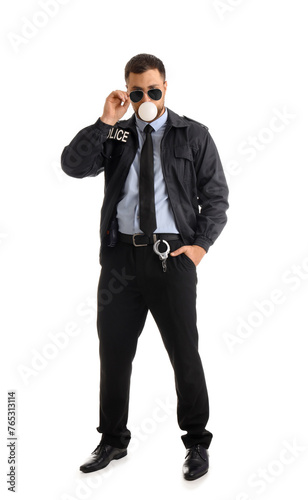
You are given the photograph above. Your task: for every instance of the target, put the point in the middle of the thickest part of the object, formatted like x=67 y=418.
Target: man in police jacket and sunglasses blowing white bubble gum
x=164 y=189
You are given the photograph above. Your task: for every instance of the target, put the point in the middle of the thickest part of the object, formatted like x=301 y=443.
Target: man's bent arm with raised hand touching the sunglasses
x=83 y=156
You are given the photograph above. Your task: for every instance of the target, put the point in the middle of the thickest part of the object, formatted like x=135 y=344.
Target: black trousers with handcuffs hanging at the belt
x=131 y=283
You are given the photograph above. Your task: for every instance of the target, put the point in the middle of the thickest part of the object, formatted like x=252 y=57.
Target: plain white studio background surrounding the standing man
x=233 y=67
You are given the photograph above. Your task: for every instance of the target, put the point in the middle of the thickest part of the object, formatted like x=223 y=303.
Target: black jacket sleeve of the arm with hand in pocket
x=212 y=191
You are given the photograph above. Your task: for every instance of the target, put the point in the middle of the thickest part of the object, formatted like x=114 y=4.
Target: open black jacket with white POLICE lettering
x=192 y=170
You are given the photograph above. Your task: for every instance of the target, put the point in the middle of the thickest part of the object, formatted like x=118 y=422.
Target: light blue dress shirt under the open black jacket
x=128 y=206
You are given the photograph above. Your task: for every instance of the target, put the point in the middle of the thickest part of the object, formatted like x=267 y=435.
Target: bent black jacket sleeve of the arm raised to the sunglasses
x=83 y=156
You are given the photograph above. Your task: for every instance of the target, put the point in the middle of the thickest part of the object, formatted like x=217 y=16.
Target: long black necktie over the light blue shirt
x=146 y=185
